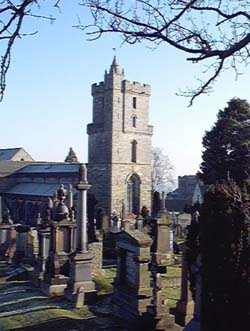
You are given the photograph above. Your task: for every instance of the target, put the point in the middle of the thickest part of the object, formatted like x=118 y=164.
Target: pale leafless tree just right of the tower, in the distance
x=162 y=171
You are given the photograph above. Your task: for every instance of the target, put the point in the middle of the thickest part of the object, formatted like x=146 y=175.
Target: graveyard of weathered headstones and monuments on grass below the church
x=39 y=290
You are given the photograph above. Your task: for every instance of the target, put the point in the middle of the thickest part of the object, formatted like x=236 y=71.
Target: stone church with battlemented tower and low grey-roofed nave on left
x=119 y=159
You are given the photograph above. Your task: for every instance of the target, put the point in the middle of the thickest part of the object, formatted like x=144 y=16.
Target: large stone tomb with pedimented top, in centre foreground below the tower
x=132 y=291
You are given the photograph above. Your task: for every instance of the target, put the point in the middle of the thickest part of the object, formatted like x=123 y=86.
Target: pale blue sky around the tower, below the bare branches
x=48 y=102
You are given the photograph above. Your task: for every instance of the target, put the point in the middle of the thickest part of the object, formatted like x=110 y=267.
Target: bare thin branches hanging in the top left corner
x=12 y=17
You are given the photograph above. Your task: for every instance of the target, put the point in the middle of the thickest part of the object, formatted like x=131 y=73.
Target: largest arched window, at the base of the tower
x=133 y=194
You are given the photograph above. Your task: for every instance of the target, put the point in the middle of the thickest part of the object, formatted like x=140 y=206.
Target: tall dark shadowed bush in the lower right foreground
x=225 y=252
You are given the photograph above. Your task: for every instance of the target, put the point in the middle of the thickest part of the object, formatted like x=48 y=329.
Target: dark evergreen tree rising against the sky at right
x=227 y=145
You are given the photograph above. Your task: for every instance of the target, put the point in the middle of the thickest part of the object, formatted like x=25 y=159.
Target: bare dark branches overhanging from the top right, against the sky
x=214 y=32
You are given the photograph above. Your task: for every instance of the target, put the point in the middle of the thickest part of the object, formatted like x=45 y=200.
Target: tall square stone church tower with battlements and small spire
x=119 y=151
